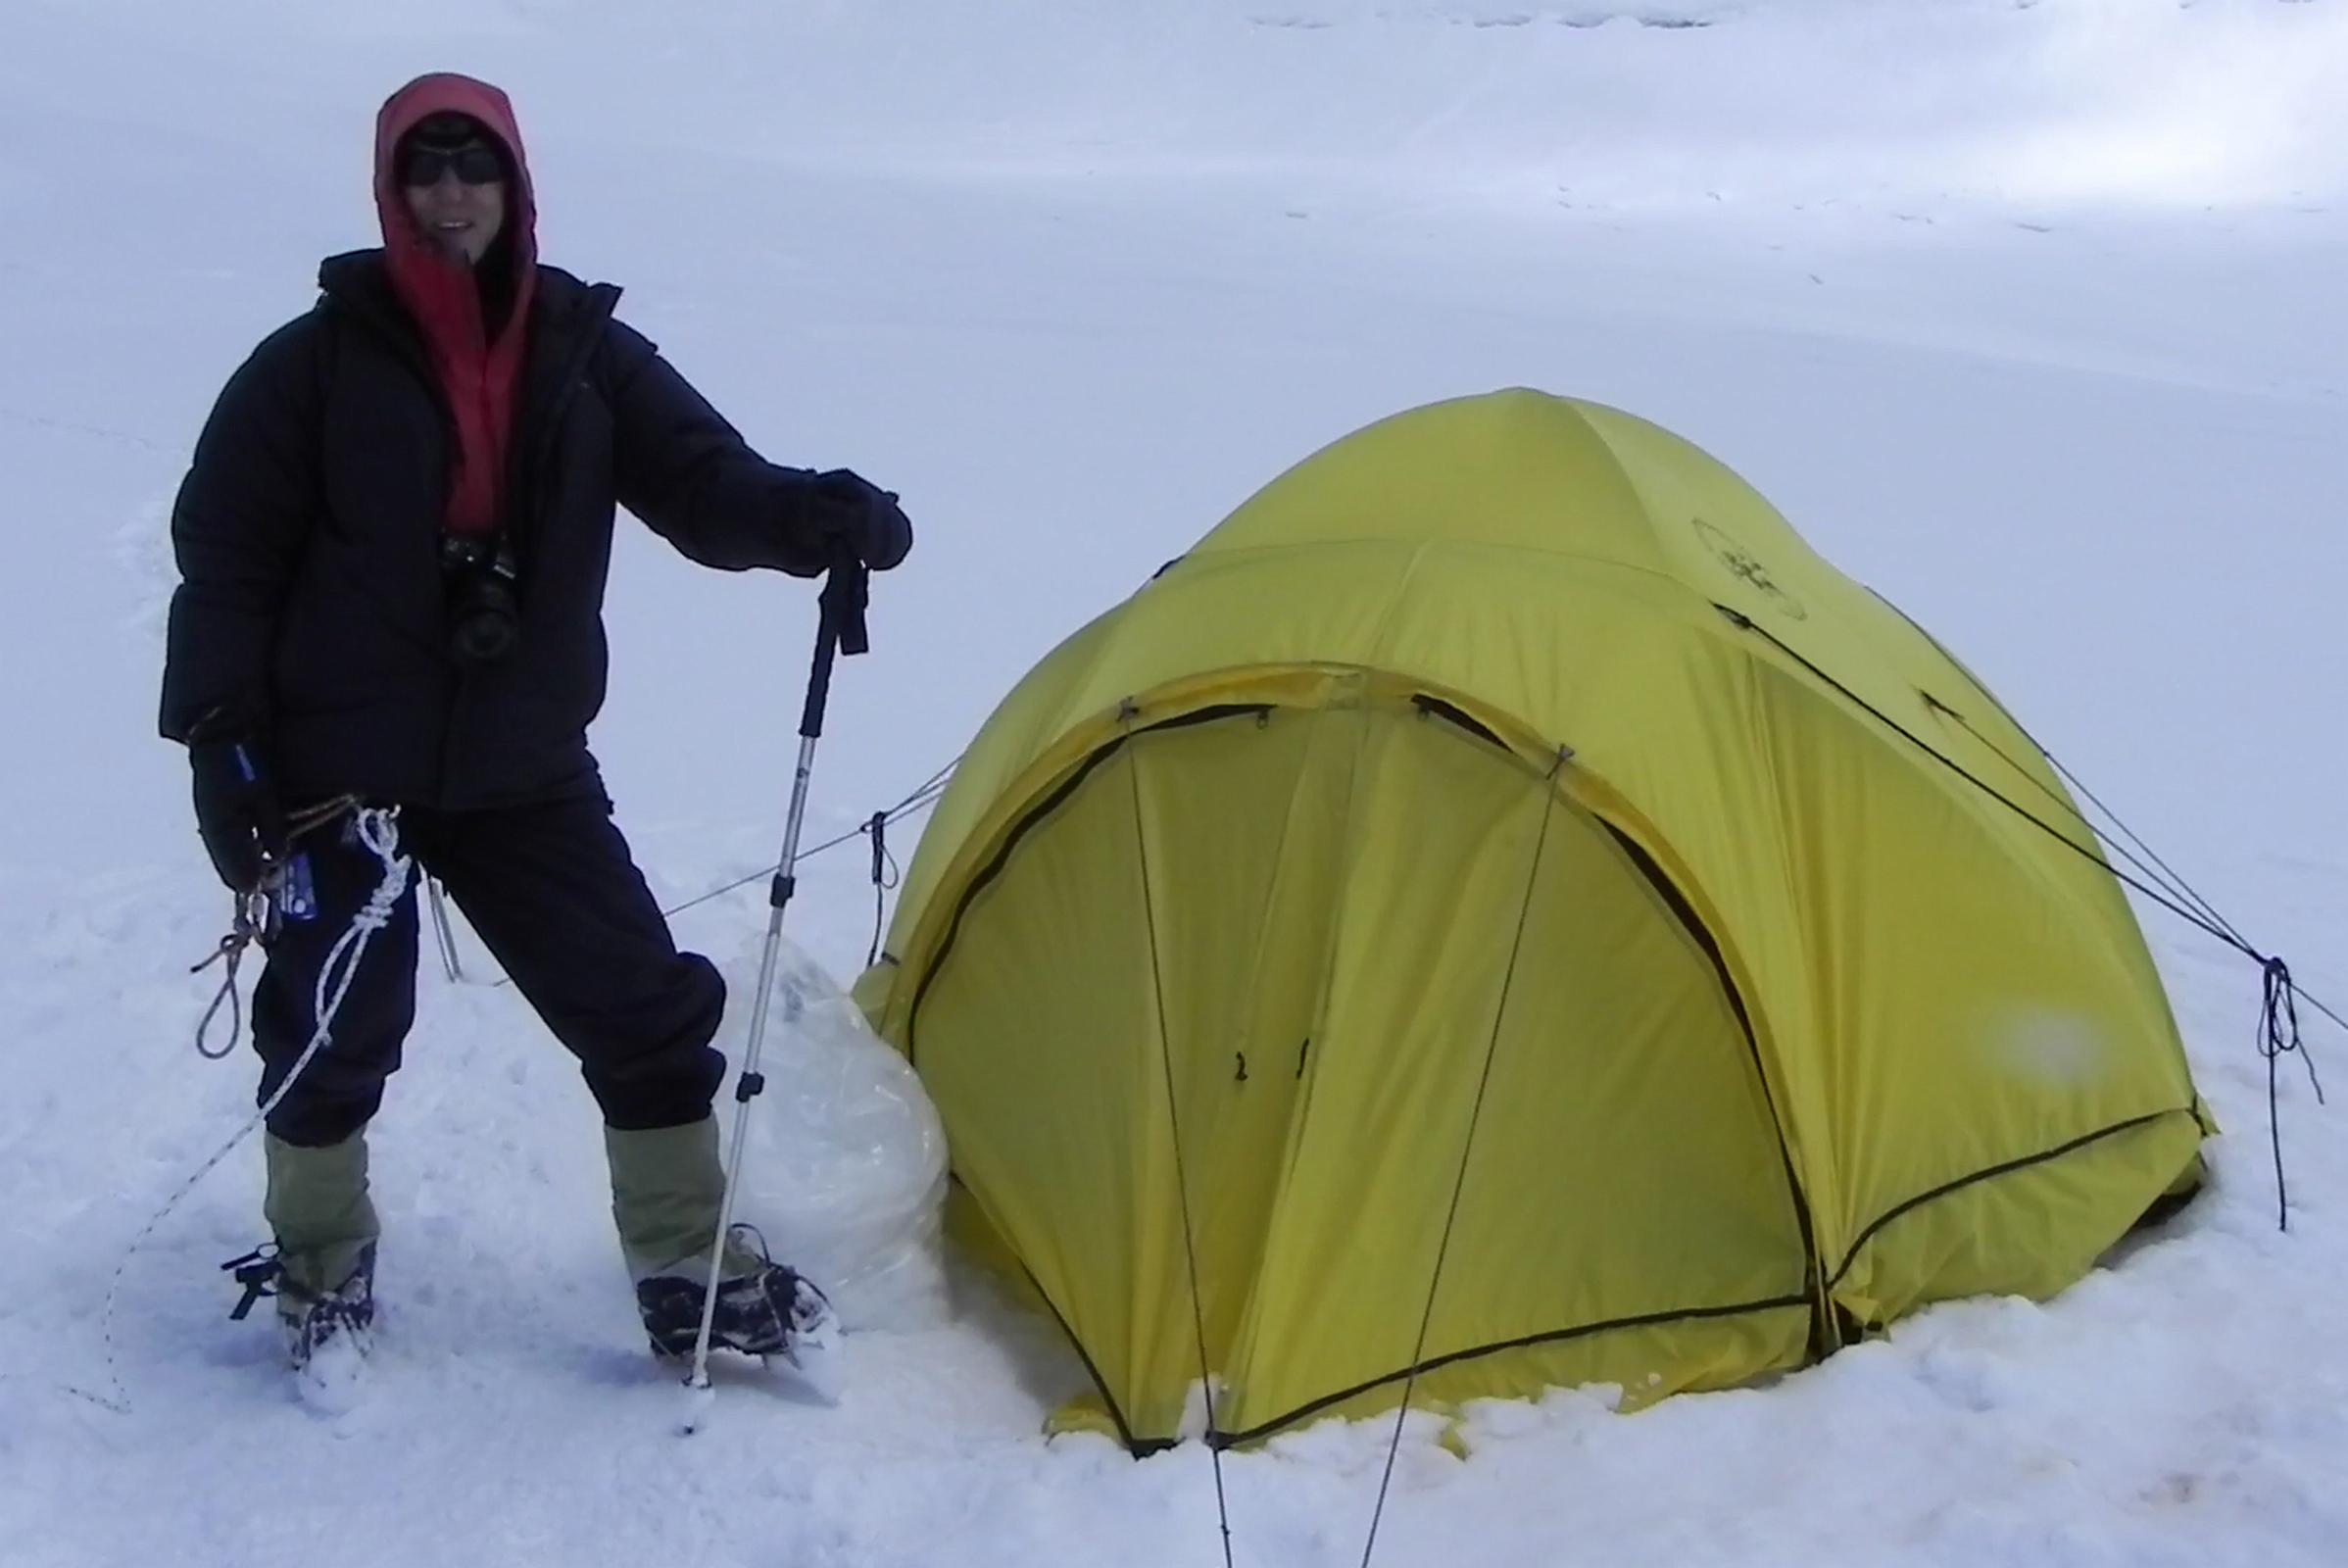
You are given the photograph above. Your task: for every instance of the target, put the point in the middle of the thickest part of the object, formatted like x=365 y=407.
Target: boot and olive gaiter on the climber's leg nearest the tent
x=668 y=1189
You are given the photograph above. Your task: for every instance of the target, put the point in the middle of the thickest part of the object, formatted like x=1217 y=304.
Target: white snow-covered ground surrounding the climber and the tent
x=2030 y=316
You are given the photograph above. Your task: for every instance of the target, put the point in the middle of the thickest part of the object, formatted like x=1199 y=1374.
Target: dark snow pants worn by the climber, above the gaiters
x=560 y=905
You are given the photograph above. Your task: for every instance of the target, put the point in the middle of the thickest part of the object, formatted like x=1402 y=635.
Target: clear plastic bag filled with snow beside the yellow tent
x=846 y=1163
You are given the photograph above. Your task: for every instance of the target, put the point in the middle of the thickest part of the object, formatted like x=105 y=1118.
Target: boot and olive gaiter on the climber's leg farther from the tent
x=325 y=1229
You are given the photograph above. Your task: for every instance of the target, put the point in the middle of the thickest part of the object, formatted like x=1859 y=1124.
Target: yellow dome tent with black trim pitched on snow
x=1504 y=907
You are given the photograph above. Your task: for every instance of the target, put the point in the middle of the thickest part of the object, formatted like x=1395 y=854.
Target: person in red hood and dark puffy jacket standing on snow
x=393 y=546
